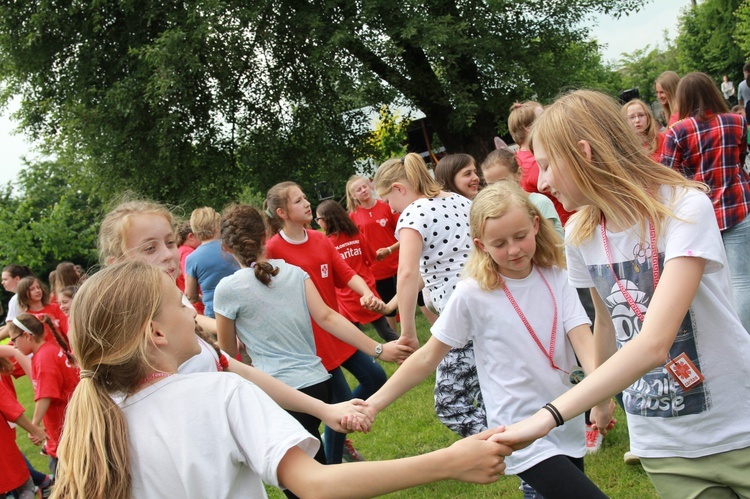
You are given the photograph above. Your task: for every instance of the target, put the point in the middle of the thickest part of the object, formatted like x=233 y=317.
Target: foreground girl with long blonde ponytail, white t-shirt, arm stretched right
x=202 y=434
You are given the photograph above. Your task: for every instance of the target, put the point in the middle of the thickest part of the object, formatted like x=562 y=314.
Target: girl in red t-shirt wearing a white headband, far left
x=53 y=374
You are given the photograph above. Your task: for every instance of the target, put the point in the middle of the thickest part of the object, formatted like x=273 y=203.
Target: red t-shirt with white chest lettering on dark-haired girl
x=359 y=256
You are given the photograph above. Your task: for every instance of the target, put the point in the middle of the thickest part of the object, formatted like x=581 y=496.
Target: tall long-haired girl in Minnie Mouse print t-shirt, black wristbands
x=646 y=242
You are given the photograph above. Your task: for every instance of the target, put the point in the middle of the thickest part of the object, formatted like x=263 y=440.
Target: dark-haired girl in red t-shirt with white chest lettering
x=353 y=248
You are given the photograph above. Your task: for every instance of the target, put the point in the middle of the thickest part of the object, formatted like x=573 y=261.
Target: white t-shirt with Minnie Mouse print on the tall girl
x=663 y=419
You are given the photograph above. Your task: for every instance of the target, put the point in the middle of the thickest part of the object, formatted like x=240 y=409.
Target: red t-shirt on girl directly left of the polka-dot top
x=378 y=226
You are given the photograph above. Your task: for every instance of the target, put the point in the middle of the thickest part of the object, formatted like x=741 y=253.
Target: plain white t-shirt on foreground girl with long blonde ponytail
x=208 y=435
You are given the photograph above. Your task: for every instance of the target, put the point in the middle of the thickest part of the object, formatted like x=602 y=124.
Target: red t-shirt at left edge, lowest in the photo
x=13 y=470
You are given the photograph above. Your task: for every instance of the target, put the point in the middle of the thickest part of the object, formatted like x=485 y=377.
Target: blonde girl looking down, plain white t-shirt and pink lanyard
x=527 y=325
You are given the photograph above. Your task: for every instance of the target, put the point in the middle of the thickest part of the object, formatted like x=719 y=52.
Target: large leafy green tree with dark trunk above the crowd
x=191 y=101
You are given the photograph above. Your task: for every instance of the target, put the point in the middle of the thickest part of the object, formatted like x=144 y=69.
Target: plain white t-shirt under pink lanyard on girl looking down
x=514 y=374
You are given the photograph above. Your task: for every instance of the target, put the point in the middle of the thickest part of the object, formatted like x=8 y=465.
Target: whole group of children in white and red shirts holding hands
x=510 y=334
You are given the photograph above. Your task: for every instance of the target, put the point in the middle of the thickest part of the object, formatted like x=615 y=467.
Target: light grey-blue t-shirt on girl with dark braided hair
x=280 y=344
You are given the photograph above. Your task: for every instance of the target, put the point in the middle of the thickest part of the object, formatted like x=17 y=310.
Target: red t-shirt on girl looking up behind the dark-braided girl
x=328 y=270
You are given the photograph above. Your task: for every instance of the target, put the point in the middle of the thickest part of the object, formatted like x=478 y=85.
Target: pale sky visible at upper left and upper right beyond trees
x=623 y=35
